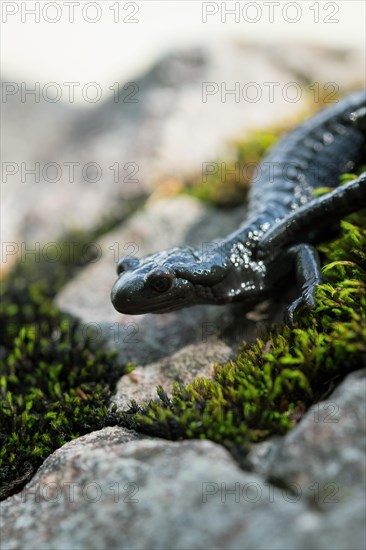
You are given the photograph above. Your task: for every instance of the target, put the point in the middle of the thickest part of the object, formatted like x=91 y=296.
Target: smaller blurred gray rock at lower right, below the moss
x=325 y=454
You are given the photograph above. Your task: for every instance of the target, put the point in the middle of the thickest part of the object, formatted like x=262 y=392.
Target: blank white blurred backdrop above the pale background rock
x=127 y=37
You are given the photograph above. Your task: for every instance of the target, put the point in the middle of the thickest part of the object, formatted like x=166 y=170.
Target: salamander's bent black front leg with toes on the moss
x=308 y=277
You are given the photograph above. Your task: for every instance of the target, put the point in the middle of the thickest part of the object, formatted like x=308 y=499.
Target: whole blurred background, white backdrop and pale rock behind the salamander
x=101 y=101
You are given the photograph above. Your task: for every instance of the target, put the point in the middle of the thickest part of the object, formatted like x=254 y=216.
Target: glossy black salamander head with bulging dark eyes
x=164 y=281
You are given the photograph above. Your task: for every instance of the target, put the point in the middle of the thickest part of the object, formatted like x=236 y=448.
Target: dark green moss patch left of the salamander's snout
x=55 y=383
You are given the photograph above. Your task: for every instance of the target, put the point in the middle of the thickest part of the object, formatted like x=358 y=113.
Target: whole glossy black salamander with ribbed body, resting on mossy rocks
x=284 y=220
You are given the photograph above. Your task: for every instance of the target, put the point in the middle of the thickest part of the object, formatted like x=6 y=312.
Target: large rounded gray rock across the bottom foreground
x=107 y=490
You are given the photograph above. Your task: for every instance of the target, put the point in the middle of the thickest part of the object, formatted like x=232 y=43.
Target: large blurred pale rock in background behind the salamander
x=159 y=126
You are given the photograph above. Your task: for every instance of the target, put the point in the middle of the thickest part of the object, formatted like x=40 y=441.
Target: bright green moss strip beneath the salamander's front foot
x=269 y=385
